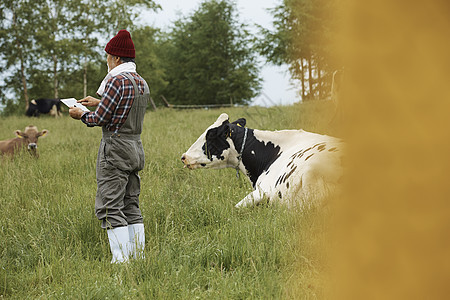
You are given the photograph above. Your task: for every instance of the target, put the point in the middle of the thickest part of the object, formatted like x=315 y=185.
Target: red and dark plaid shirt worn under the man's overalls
x=115 y=104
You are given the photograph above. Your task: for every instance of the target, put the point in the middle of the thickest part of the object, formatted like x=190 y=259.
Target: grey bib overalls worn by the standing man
x=120 y=158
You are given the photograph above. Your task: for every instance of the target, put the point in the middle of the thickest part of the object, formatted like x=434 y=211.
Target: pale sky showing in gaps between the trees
x=276 y=86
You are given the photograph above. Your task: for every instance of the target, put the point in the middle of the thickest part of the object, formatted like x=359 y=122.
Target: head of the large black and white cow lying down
x=214 y=148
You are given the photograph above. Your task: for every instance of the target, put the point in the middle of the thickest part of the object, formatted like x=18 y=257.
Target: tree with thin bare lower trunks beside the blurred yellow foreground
x=303 y=39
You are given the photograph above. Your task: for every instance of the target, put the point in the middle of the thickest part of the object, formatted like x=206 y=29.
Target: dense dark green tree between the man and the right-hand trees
x=208 y=58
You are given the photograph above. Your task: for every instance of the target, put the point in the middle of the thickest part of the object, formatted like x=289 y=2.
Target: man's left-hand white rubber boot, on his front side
x=119 y=243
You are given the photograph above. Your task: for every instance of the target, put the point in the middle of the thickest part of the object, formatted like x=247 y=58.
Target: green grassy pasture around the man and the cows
x=197 y=244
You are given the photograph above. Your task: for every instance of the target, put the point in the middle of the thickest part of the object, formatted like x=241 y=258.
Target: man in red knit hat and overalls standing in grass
x=124 y=96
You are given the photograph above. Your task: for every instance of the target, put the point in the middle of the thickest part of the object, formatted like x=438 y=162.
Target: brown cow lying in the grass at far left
x=27 y=139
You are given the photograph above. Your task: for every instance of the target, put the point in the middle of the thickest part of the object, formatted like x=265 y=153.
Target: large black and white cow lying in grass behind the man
x=288 y=166
